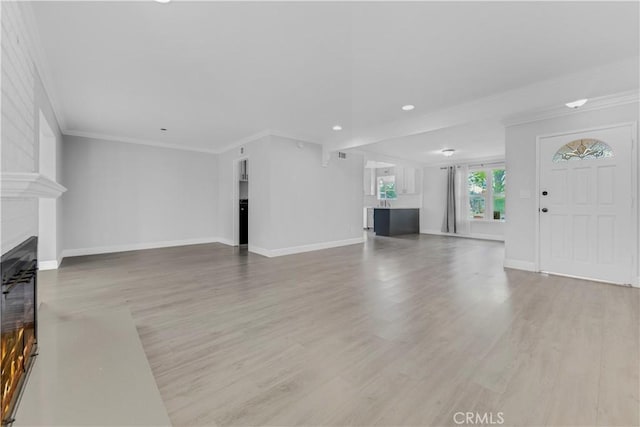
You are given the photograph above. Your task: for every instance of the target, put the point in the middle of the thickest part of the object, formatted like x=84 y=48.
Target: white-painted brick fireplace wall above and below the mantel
x=23 y=96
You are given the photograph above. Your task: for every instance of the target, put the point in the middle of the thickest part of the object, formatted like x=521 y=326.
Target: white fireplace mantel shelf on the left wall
x=29 y=185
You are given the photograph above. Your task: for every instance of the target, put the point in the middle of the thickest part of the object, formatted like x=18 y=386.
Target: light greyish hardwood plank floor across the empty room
x=400 y=331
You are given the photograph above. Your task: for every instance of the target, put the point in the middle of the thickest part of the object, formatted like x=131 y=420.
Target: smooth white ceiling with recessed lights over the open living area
x=215 y=73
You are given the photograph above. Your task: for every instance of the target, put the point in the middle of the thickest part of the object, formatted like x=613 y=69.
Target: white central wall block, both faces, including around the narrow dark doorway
x=295 y=204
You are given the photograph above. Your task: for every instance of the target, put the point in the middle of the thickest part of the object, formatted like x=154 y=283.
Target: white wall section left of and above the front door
x=521 y=179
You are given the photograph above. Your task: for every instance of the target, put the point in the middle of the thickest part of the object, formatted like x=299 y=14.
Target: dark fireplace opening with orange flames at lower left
x=18 y=322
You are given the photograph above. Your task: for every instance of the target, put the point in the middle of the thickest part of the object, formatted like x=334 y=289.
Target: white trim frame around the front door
x=635 y=219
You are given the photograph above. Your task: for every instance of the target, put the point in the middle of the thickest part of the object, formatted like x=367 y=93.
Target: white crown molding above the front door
x=599 y=103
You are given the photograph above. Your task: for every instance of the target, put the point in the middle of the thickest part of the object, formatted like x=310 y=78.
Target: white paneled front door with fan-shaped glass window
x=586 y=202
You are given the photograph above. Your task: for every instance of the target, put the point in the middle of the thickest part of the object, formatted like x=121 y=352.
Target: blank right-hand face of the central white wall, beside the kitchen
x=311 y=204
